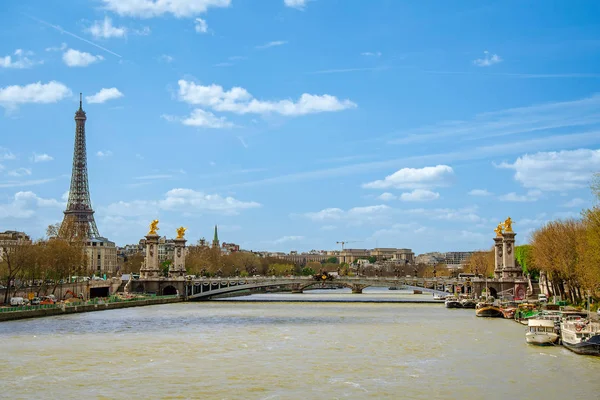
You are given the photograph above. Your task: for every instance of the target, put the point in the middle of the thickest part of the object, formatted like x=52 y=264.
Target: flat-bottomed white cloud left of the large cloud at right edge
x=415 y=178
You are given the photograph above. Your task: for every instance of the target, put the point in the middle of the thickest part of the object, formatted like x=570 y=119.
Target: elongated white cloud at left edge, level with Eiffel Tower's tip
x=44 y=93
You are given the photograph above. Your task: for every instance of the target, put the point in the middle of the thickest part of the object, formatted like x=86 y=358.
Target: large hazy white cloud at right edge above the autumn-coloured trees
x=556 y=171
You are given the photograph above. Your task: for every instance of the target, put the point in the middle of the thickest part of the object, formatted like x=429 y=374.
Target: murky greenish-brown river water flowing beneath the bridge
x=285 y=350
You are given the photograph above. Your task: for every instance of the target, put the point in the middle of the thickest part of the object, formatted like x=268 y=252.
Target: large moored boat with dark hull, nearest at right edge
x=581 y=336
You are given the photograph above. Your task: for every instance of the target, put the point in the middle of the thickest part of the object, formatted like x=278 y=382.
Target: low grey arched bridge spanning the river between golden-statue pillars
x=202 y=289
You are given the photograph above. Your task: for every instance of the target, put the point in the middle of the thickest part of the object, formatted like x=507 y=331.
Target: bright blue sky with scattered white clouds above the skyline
x=295 y=124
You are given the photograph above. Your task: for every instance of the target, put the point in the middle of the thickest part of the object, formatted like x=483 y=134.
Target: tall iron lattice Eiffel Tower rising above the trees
x=79 y=211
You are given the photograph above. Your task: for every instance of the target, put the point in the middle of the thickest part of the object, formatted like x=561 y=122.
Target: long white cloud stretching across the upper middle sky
x=240 y=101
